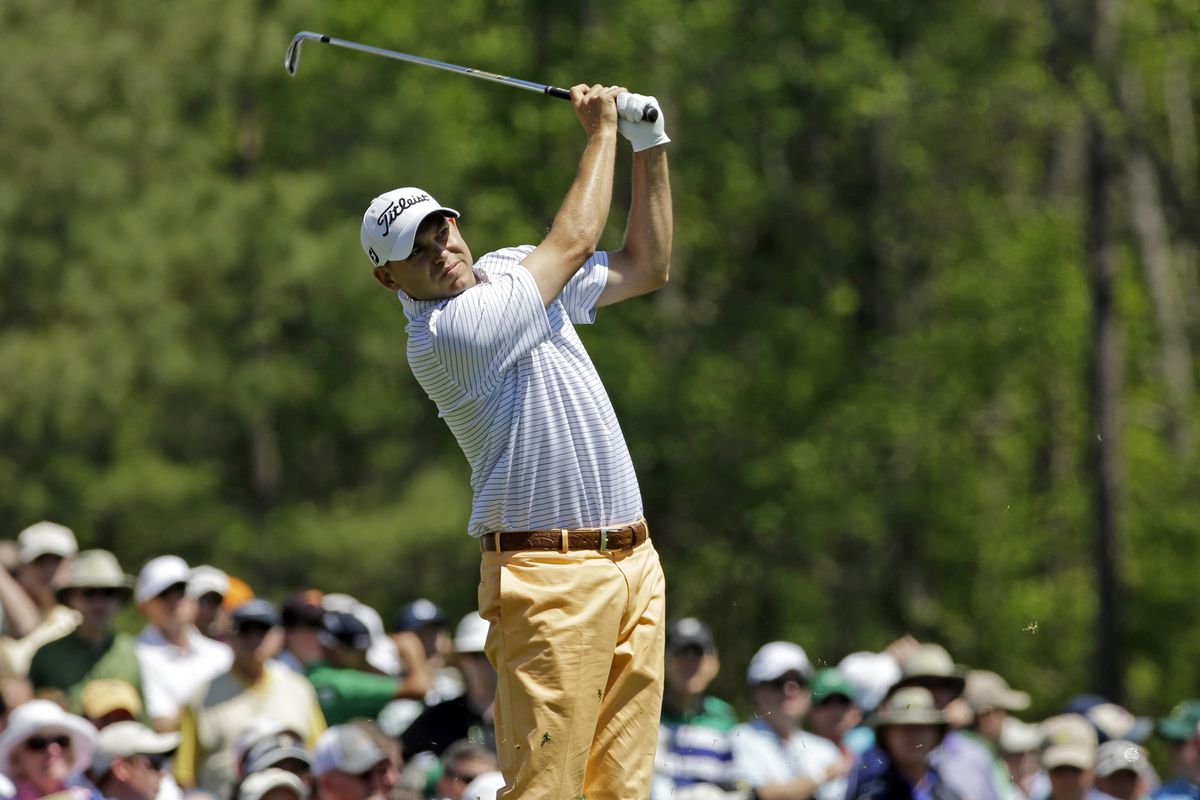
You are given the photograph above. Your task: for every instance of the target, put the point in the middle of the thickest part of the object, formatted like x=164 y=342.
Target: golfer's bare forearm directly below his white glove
x=651 y=225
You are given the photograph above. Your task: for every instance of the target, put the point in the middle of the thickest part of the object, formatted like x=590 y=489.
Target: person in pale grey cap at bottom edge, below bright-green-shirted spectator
x=350 y=766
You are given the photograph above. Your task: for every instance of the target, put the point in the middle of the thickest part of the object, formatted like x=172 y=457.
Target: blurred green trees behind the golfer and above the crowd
x=926 y=364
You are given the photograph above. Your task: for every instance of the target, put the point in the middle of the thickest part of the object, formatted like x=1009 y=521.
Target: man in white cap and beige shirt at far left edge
x=33 y=616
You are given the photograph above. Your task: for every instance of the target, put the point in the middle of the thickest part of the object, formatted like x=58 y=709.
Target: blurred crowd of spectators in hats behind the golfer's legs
x=227 y=696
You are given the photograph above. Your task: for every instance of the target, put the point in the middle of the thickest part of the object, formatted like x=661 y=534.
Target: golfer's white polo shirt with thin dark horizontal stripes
x=520 y=394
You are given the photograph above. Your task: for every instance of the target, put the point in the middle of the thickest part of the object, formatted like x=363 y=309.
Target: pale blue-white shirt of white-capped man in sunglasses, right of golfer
x=760 y=759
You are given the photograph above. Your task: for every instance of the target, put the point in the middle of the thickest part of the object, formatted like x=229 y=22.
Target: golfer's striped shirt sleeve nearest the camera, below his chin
x=485 y=330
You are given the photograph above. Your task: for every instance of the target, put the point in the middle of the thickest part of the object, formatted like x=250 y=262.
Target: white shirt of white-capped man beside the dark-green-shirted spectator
x=171 y=676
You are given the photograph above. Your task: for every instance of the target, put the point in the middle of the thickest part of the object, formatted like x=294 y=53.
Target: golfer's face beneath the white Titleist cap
x=441 y=263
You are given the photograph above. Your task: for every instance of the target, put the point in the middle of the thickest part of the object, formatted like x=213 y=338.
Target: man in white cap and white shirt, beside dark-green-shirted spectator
x=176 y=658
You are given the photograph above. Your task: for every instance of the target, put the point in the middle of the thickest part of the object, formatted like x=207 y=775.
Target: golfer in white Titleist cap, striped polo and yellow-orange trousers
x=569 y=580
